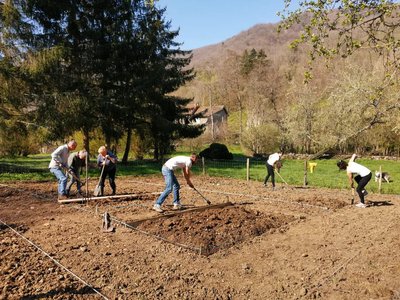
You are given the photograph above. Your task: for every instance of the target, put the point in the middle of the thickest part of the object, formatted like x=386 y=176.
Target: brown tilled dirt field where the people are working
x=251 y=243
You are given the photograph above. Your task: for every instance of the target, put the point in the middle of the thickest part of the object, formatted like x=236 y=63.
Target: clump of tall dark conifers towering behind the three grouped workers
x=100 y=64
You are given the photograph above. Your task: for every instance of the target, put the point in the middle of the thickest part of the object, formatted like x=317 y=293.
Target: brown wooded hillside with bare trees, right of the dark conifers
x=262 y=81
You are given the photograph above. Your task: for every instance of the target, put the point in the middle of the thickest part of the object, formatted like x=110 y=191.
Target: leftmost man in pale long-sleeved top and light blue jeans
x=58 y=163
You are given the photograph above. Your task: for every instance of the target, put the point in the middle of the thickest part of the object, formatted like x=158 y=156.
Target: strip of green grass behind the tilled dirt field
x=326 y=173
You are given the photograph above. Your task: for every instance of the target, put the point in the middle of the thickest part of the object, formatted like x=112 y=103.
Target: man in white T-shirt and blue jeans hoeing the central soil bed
x=171 y=183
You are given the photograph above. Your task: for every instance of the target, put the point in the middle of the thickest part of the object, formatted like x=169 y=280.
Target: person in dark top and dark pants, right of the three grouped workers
x=108 y=160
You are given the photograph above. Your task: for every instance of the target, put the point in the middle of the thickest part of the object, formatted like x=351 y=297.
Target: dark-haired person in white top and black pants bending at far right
x=362 y=178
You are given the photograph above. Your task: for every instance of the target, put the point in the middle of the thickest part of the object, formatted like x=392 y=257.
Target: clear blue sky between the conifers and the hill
x=206 y=22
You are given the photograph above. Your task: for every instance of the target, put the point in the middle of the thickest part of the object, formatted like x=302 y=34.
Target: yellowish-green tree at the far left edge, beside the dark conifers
x=17 y=128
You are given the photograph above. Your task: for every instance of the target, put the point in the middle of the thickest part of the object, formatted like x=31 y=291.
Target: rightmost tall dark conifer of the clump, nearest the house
x=165 y=70
